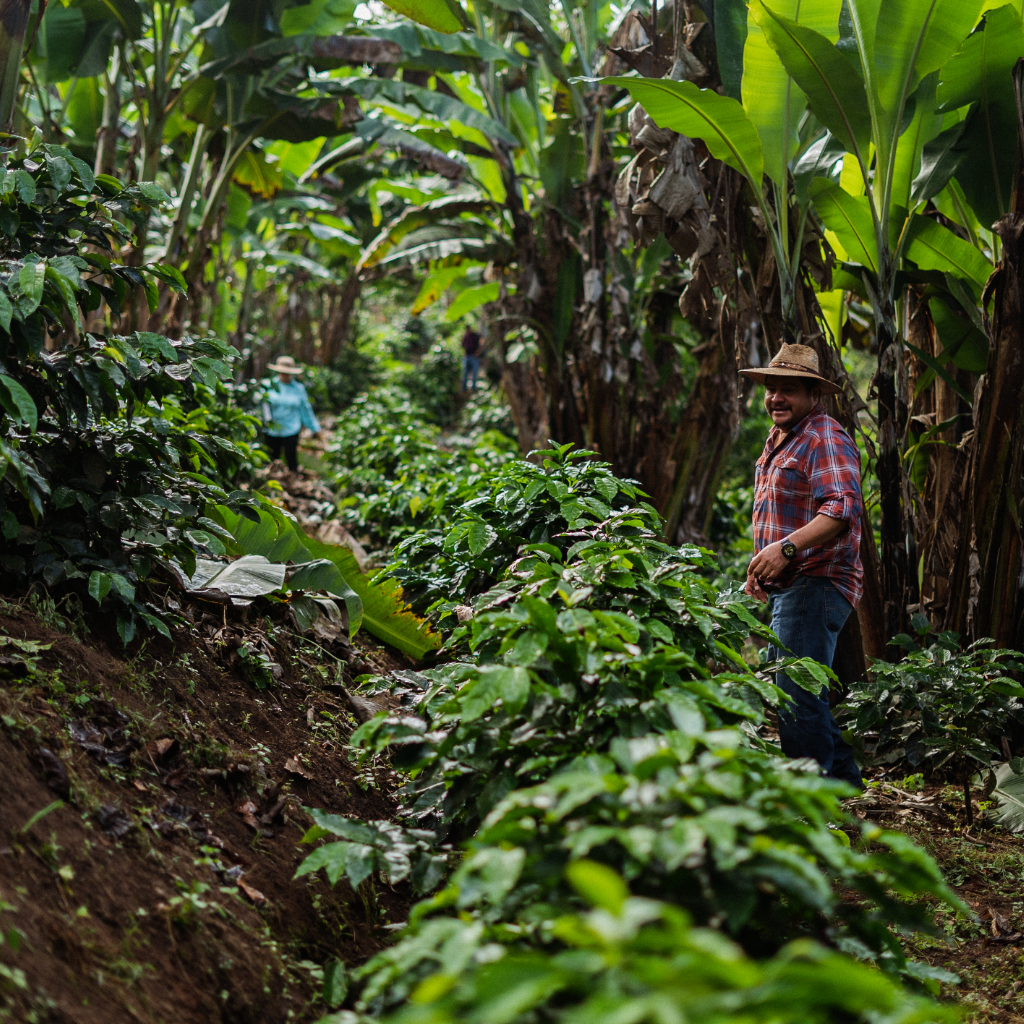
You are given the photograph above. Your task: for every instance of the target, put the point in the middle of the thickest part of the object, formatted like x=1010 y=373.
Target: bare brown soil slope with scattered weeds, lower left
x=160 y=888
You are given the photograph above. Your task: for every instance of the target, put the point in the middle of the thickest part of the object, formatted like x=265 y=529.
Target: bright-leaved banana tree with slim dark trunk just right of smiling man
x=881 y=106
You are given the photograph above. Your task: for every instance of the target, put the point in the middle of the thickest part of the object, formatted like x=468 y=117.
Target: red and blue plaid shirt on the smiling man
x=816 y=470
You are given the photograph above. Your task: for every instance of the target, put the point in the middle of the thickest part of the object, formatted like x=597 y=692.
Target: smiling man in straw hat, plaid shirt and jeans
x=807 y=505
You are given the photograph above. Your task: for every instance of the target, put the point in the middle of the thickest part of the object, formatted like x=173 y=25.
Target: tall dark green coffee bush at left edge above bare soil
x=113 y=447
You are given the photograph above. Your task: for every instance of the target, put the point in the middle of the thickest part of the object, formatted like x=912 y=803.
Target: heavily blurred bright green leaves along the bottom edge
x=636 y=959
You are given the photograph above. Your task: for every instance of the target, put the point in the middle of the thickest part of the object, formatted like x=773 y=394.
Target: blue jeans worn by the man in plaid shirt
x=807 y=617
